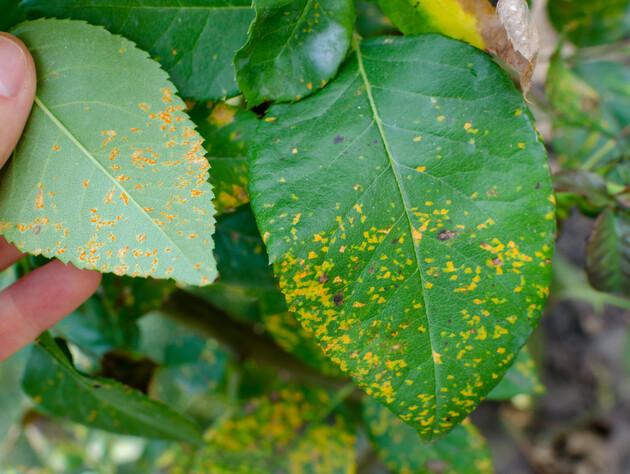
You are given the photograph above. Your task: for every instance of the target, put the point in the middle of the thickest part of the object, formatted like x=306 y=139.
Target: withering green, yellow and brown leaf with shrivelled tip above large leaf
x=507 y=30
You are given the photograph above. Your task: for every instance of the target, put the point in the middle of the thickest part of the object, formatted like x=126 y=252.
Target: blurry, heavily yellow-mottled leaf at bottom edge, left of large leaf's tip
x=281 y=432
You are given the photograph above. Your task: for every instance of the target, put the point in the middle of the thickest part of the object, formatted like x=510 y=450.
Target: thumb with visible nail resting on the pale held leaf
x=17 y=90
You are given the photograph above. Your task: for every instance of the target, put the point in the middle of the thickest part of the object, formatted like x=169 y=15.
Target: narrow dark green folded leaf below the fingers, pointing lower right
x=58 y=388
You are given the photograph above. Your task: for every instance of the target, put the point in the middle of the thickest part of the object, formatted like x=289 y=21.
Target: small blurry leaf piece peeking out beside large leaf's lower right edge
x=520 y=379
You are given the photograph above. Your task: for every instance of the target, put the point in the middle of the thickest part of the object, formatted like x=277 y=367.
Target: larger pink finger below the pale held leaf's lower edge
x=40 y=299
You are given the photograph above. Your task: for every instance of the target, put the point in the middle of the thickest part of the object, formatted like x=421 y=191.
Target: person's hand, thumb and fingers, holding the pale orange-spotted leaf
x=40 y=299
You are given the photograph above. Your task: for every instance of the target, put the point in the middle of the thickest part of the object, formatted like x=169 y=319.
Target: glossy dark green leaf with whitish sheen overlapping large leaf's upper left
x=294 y=48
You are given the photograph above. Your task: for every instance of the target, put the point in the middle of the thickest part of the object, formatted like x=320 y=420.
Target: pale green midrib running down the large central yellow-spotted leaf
x=392 y=164
